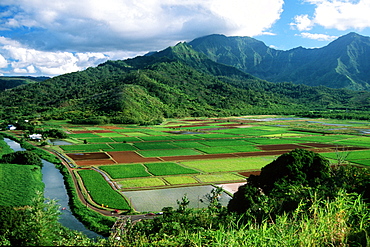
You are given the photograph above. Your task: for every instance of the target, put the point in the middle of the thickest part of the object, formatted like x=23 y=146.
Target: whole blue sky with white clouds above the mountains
x=49 y=38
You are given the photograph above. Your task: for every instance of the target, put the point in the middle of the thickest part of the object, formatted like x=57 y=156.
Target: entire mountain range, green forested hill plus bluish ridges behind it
x=180 y=81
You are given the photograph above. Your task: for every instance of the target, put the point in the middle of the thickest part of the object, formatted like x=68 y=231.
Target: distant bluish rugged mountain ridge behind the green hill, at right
x=343 y=63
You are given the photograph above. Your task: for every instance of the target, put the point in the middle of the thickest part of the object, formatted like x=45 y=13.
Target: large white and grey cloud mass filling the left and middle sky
x=69 y=35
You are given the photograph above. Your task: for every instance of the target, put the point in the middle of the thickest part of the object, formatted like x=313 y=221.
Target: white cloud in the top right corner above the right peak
x=340 y=14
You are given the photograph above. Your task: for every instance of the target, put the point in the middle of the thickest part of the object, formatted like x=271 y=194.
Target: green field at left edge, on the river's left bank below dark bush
x=19 y=184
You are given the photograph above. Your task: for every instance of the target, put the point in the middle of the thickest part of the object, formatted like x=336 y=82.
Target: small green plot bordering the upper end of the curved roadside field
x=125 y=171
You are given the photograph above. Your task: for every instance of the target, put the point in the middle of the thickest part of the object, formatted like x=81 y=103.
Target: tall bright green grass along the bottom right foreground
x=344 y=221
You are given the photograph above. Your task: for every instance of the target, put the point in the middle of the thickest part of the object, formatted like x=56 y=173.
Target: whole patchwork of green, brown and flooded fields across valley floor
x=150 y=167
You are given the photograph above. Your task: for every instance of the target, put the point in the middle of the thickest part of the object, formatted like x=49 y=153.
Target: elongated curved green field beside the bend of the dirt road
x=100 y=190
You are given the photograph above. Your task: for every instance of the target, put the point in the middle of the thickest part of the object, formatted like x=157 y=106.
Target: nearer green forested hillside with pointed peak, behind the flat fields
x=176 y=82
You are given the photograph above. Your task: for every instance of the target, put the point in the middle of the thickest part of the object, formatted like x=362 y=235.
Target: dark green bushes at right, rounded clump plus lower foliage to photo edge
x=293 y=177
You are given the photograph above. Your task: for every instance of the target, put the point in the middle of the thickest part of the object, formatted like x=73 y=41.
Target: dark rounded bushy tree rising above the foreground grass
x=282 y=184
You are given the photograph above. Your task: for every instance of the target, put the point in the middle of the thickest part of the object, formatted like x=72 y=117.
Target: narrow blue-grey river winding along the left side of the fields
x=55 y=189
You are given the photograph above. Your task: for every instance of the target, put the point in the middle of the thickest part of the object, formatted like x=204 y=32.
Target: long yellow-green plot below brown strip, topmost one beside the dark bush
x=230 y=164
